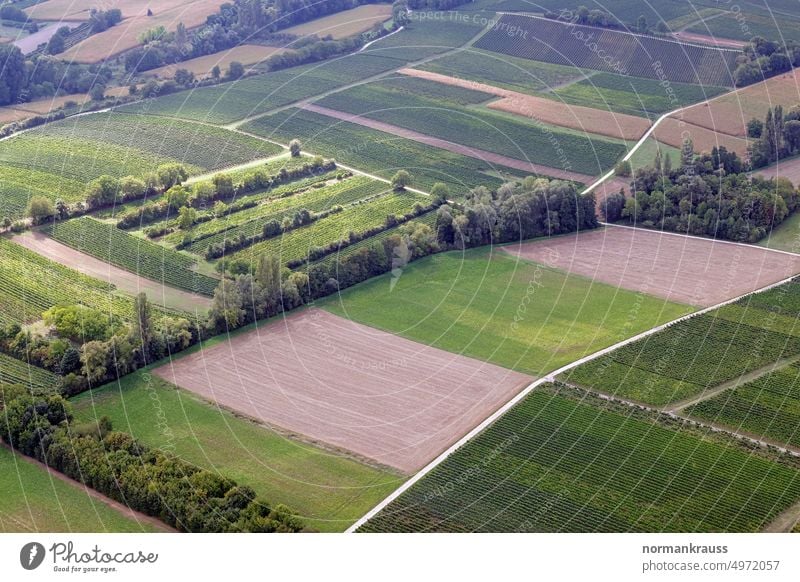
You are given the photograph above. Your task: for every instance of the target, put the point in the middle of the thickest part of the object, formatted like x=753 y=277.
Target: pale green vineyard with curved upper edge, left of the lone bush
x=168 y=140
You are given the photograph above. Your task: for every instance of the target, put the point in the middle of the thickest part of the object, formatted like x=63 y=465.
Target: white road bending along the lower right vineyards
x=550 y=377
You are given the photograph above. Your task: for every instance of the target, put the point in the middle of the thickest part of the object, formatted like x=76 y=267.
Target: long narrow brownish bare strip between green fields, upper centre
x=490 y=157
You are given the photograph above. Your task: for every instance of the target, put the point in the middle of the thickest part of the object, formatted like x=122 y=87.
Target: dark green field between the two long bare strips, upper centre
x=487 y=130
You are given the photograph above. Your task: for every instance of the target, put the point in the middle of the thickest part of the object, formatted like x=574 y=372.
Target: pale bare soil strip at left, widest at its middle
x=124 y=281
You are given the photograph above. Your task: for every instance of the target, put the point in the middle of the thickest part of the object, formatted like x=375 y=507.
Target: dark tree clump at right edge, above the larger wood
x=777 y=137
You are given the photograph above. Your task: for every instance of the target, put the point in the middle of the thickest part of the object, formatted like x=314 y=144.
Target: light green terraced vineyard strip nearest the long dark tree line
x=296 y=244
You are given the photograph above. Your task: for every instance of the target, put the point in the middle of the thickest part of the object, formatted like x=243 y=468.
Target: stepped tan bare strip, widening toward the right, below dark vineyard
x=608 y=123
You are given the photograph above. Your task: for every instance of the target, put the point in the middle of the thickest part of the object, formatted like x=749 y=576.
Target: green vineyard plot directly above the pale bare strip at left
x=140 y=256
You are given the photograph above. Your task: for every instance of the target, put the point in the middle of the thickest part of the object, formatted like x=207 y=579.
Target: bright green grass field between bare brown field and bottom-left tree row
x=329 y=491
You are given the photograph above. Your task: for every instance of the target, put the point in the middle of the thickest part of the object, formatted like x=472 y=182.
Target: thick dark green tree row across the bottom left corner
x=117 y=465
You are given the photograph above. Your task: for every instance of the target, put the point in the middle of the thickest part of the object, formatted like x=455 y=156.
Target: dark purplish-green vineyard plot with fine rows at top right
x=616 y=52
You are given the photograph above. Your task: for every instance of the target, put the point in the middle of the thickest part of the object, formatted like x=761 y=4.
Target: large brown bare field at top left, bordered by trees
x=125 y=35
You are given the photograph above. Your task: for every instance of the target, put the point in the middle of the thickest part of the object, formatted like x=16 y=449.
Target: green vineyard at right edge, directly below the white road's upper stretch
x=700 y=353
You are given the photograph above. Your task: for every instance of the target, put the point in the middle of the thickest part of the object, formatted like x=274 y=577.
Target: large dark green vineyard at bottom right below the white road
x=559 y=463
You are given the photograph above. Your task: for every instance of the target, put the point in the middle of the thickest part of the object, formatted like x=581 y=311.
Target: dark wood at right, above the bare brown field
x=712 y=195
